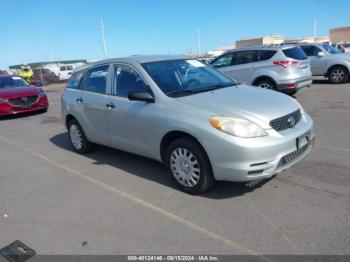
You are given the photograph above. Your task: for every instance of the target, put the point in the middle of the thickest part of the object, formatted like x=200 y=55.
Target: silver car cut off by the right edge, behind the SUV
x=327 y=61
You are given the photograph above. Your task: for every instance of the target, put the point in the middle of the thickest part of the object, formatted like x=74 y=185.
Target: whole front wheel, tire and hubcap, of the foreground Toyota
x=189 y=166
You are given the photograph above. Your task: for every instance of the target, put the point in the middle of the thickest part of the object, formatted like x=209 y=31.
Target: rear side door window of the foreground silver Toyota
x=96 y=80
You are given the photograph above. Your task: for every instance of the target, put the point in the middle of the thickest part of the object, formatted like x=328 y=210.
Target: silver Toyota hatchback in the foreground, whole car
x=199 y=122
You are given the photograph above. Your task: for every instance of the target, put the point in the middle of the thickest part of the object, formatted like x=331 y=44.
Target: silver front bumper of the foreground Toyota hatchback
x=240 y=160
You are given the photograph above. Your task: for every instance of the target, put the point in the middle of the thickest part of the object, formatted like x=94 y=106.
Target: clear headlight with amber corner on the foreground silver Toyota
x=237 y=127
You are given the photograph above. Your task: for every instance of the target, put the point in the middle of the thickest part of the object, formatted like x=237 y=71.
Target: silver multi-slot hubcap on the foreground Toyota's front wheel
x=185 y=167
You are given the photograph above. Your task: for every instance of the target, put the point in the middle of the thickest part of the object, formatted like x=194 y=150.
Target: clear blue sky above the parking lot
x=36 y=30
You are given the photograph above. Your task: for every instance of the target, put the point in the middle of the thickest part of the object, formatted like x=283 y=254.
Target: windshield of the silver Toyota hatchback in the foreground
x=186 y=76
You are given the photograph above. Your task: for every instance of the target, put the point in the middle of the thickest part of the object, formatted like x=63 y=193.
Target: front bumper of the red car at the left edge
x=8 y=109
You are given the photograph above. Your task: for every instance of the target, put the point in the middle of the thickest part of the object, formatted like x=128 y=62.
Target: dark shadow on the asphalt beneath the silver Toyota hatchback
x=153 y=170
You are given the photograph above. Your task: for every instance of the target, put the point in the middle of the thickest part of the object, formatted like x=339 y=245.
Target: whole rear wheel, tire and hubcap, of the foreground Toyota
x=77 y=138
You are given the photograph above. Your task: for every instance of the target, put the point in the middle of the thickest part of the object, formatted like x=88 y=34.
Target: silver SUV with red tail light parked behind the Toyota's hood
x=281 y=68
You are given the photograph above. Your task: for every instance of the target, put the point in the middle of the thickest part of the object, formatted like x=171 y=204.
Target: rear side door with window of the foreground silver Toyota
x=91 y=104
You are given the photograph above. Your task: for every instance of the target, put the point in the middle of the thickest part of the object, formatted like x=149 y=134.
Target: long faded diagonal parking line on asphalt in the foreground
x=139 y=201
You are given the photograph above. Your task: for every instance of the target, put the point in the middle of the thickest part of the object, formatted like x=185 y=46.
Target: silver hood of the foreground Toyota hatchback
x=244 y=101
